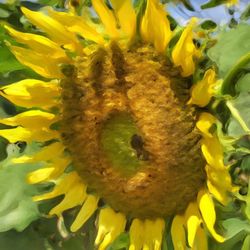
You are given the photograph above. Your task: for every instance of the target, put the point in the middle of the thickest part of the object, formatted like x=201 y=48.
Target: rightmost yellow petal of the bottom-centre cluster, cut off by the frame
x=153 y=233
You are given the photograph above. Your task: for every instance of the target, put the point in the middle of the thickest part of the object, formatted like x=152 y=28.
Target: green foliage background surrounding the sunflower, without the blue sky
x=24 y=224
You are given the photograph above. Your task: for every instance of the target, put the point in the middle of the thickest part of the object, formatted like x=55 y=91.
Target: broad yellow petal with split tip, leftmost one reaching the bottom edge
x=110 y=225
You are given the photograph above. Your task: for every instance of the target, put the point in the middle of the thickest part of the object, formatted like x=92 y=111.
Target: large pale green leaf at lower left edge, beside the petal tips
x=17 y=209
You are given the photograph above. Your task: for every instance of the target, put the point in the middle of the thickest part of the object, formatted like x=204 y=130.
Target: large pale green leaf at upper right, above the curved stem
x=231 y=46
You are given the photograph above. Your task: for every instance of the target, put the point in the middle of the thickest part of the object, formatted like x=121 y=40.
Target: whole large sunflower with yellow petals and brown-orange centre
x=116 y=103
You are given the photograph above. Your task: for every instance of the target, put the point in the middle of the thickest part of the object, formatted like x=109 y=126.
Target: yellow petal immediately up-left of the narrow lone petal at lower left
x=74 y=197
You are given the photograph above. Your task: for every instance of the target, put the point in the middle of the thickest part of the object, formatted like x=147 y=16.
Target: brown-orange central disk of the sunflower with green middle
x=131 y=135
